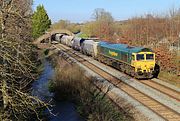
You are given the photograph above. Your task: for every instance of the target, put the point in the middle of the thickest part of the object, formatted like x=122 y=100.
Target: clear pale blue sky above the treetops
x=82 y=10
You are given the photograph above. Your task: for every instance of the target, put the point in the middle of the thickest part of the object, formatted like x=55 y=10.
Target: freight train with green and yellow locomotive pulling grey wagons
x=138 y=62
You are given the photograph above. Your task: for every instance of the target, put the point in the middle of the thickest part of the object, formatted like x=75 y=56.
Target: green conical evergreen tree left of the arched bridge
x=40 y=21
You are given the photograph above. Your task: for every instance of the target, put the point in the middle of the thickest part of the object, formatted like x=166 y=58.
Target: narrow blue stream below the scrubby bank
x=65 y=111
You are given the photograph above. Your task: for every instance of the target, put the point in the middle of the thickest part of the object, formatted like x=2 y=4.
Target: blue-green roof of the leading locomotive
x=124 y=47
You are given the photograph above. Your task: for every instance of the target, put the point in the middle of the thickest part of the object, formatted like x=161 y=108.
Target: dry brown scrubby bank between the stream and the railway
x=71 y=84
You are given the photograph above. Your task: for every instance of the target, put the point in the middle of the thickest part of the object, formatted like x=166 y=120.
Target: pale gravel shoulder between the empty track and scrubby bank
x=119 y=97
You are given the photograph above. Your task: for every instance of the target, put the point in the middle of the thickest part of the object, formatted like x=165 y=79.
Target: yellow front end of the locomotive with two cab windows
x=143 y=63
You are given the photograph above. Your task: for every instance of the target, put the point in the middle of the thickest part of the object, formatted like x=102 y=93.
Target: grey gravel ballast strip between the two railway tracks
x=171 y=102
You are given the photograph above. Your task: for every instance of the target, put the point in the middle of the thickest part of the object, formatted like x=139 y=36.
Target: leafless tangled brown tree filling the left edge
x=17 y=58
